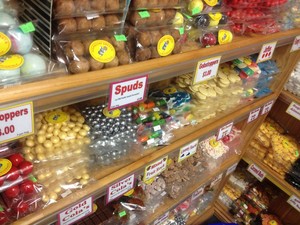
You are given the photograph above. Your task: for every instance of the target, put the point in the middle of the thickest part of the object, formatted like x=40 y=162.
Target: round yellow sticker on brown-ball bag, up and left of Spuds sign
x=102 y=51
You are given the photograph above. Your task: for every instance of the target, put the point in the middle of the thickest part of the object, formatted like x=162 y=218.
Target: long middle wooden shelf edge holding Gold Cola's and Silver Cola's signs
x=136 y=164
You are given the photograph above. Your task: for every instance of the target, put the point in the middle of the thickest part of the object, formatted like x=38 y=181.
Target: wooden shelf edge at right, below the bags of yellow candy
x=274 y=177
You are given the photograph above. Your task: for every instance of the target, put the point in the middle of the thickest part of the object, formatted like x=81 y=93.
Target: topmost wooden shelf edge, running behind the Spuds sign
x=65 y=90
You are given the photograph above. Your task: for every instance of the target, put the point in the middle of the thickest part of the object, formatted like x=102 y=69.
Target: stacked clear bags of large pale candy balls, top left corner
x=21 y=60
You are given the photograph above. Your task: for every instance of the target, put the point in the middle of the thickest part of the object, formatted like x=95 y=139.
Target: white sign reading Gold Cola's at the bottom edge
x=76 y=212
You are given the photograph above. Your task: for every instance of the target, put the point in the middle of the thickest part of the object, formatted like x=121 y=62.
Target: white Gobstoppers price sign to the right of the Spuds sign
x=207 y=69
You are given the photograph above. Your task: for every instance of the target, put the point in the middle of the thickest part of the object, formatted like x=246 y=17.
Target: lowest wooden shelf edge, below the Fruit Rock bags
x=169 y=203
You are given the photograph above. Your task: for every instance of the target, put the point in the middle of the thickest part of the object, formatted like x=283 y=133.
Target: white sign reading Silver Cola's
x=119 y=188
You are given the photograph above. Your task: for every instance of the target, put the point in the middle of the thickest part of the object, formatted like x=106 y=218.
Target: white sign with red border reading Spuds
x=127 y=92
